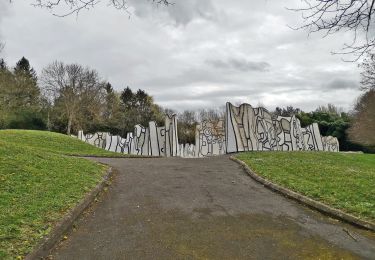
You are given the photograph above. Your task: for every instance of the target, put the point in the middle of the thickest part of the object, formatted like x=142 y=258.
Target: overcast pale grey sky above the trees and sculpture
x=194 y=54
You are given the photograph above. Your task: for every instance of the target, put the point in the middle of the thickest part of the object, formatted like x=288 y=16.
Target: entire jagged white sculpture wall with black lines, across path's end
x=244 y=129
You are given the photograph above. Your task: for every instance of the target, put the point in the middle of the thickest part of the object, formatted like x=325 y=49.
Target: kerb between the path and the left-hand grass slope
x=47 y=243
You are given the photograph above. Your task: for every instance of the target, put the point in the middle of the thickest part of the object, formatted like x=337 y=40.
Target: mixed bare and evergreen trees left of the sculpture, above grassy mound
x=70 y=97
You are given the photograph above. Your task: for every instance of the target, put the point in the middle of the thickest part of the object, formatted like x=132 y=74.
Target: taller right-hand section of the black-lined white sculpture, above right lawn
x=253 y=129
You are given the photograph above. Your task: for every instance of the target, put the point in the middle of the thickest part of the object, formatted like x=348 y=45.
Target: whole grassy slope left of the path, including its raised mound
x=39 y=184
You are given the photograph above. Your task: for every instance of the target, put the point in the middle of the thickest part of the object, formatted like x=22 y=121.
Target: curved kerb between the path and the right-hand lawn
x=336 y=213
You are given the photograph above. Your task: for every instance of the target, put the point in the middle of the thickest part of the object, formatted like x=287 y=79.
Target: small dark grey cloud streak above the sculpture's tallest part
x=239 y=64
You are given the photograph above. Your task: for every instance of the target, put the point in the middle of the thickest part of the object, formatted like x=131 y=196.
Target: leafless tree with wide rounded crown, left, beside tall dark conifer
x=76 y=87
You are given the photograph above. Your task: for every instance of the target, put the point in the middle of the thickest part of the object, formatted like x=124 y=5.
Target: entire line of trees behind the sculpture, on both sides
x=70 y=97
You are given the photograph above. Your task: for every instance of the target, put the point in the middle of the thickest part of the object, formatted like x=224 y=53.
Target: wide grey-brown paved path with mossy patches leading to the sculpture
x=204 y=209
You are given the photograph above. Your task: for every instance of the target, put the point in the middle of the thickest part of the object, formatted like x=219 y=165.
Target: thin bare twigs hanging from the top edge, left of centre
x=75 y=6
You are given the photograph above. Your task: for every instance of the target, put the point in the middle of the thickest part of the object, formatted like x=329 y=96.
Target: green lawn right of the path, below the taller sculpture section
x=343 y=180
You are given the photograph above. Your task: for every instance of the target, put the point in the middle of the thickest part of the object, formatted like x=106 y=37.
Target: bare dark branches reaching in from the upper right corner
x=331 y=16
